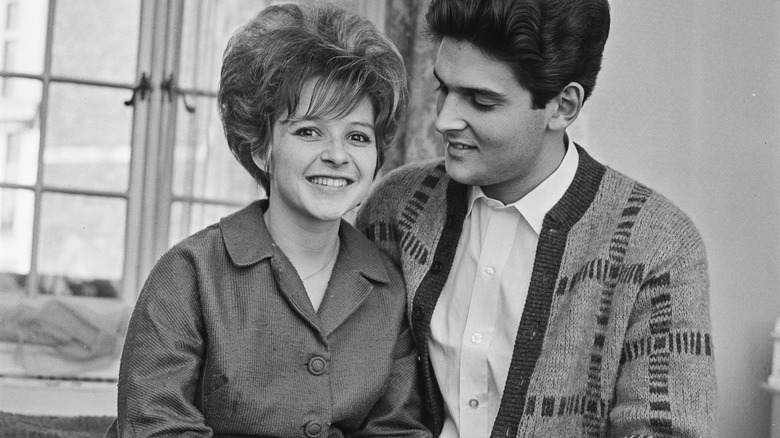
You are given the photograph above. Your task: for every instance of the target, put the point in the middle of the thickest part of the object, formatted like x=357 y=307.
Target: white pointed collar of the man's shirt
x=535 y=205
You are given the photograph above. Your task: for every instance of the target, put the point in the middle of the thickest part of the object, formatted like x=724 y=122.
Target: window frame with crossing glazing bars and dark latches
x=149 y=196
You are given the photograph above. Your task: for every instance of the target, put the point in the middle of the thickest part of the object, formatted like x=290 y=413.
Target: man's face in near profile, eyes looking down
x=492 y=136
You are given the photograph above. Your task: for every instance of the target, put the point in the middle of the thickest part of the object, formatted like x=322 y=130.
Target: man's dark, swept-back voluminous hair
x=547 y=43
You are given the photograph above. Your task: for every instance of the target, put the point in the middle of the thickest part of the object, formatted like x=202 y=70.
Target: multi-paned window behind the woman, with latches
x=111 y=148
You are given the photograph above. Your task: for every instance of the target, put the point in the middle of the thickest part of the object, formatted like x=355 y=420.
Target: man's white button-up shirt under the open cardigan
x=474 y=324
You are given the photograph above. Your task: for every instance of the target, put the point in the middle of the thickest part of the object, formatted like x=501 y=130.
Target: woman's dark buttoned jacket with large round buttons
x=225 y=341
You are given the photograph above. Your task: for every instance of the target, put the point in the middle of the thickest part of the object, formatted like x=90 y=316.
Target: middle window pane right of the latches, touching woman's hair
x=204 y=166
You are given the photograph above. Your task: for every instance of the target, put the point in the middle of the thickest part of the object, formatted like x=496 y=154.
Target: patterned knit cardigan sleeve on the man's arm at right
x=666 y=380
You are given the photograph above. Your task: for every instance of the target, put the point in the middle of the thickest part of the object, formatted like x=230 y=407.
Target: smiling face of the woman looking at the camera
x=321 y=168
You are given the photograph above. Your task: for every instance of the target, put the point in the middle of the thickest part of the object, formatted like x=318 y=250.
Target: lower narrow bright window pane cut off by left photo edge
x=16 y=221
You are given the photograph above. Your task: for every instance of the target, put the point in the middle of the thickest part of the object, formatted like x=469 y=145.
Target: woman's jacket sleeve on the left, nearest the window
x=162 y=356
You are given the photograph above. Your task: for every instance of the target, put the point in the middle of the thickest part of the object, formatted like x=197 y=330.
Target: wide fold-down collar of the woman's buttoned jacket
x=248 y=241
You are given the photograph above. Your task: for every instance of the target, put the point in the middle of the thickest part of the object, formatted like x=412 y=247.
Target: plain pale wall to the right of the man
x=688 y=102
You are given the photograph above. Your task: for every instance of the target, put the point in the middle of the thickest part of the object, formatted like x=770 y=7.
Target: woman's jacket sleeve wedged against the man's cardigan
x=398 y=412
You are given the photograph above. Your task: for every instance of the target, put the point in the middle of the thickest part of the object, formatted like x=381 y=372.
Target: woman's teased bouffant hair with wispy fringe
x=267 y=62
